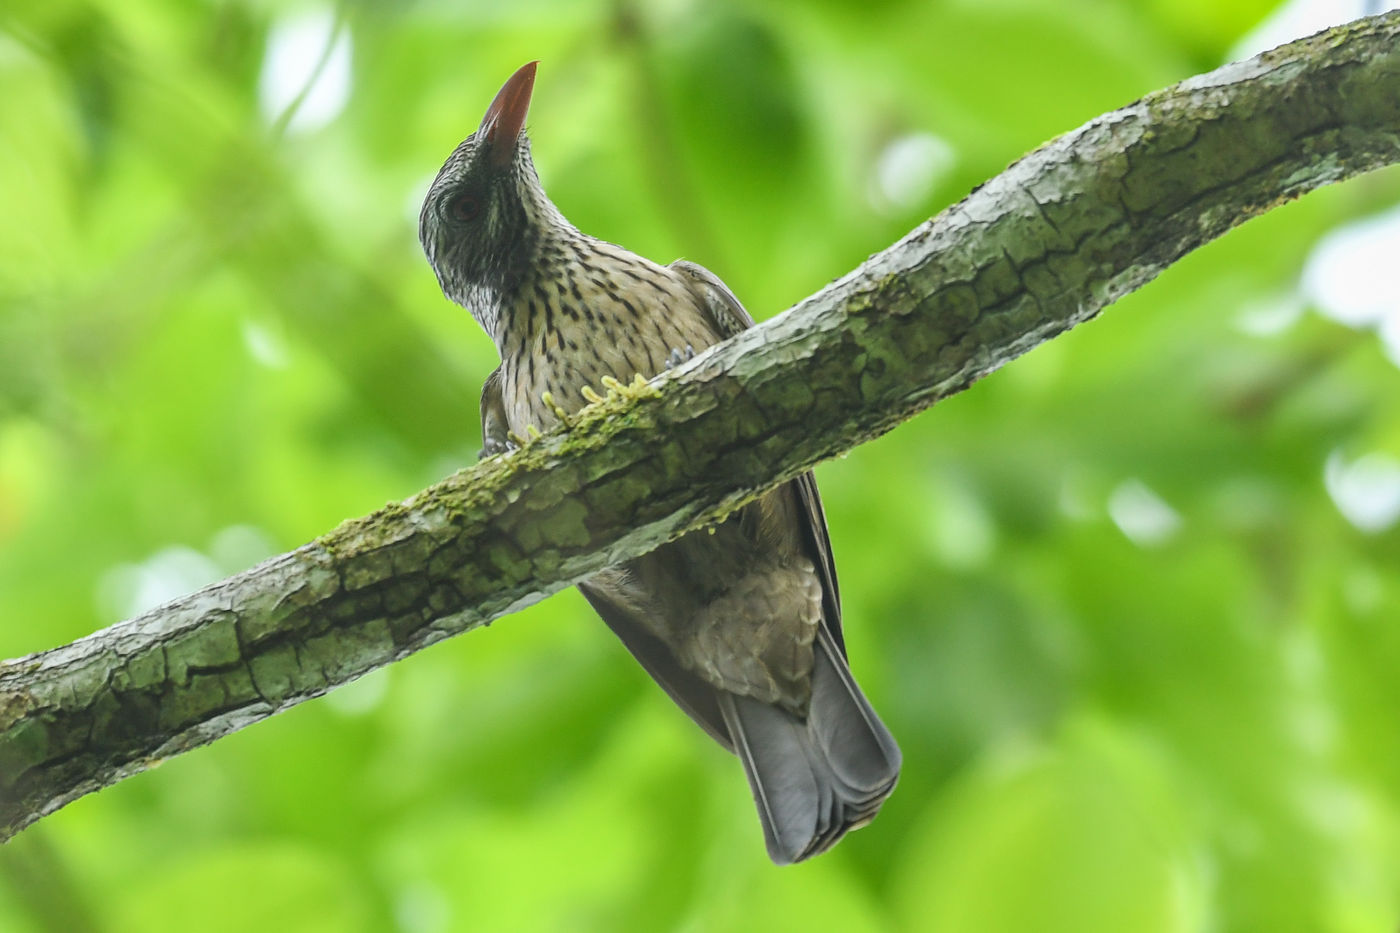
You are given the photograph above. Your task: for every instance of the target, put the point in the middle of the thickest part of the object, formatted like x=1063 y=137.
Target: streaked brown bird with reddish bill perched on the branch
x=740 y=624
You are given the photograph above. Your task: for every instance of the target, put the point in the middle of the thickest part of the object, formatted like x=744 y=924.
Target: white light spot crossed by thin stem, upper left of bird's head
x=295 y=51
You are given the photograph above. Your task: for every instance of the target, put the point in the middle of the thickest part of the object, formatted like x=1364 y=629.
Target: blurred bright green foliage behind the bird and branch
x=1143 y=669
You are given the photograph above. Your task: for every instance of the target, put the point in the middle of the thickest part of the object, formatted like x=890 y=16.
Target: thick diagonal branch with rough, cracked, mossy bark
x=1045 y=246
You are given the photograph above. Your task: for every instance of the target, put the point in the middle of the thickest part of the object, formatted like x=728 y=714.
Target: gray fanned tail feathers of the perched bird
x=814 y=780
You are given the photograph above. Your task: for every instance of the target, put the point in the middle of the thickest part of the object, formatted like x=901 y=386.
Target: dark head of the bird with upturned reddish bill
x=485 y=212
